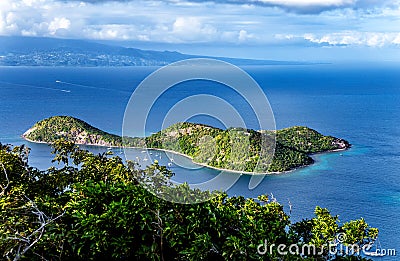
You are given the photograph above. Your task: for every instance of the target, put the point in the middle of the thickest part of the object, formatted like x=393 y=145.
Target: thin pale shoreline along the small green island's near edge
x=197 y=163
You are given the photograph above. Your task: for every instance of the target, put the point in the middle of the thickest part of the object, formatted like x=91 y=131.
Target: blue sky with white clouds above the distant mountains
x=316 y=30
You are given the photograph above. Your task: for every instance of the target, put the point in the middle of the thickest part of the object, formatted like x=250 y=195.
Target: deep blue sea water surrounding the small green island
x=360 y=103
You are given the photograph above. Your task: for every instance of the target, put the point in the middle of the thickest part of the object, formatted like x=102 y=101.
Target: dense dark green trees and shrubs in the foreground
x=99 y=211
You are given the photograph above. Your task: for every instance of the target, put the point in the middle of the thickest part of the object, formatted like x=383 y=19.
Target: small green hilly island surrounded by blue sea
x=234 y=149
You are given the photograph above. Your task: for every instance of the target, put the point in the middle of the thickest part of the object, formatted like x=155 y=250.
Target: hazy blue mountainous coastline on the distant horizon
x=36 y=51
